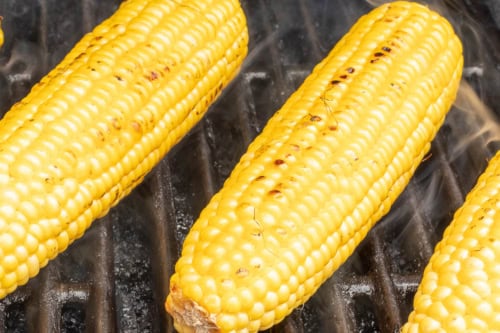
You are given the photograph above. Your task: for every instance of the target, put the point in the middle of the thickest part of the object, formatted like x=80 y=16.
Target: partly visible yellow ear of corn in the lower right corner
x=460 y=288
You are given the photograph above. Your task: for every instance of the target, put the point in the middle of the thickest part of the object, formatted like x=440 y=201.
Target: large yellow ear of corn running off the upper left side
x=89 y=132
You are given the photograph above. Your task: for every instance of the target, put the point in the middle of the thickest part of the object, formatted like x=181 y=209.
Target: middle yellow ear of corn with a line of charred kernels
x=326 y=167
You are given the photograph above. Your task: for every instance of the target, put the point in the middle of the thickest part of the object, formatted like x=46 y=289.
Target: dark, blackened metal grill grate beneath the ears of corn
x=115 y=278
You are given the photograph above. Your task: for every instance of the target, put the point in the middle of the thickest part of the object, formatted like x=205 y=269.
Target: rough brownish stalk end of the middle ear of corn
x=188 y=315
